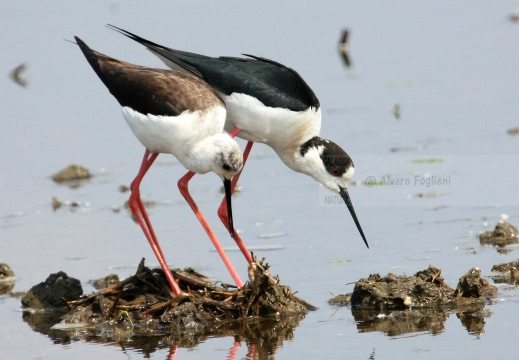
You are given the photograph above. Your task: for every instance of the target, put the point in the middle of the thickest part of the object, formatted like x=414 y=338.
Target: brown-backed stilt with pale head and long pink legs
x=179 y=114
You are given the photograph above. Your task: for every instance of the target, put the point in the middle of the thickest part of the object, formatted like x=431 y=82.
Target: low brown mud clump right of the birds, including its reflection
x=399 y=304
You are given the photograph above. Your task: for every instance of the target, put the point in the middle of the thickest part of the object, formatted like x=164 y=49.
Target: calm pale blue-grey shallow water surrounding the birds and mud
x=426 y=183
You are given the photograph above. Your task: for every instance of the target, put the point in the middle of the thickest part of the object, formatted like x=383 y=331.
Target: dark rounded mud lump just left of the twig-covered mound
x=52 y=294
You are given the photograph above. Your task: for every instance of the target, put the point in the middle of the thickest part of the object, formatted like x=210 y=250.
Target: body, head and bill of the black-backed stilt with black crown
x=270 y=103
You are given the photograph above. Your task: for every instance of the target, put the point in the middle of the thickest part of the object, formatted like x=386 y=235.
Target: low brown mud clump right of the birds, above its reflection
x=425 y=289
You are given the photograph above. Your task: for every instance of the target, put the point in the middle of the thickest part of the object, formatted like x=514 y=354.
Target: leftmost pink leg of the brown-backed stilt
x=141 y=216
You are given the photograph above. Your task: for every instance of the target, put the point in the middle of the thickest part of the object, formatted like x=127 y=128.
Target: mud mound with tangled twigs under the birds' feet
x=143 y=302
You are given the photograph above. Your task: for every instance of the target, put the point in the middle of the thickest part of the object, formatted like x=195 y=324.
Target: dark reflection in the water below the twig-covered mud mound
x=261 y=336
